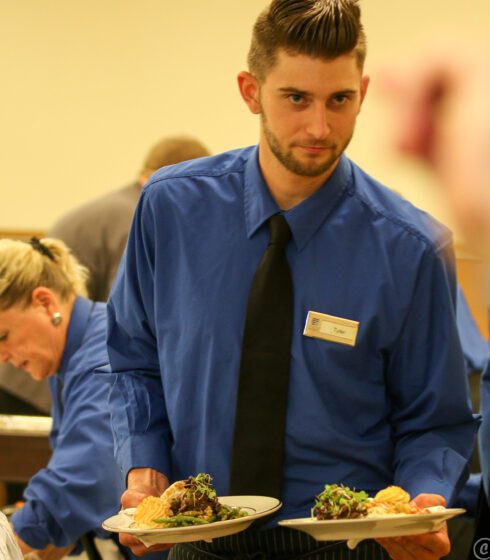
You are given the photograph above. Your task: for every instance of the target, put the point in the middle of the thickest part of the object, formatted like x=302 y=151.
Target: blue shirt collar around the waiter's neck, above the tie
x=305 y=218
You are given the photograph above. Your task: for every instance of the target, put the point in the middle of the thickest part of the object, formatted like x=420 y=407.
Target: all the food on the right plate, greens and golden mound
x=340 y=502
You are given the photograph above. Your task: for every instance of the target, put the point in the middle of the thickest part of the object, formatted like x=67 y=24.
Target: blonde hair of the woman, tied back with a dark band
x=25 y=266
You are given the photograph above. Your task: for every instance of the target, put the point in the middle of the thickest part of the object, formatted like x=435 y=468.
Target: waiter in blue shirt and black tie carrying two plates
x=389 y=407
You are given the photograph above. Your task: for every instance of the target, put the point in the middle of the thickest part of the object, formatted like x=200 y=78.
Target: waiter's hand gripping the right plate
x=429 y=546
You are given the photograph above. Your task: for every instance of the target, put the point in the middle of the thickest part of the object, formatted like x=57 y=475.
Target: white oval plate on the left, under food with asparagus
x=256 y=506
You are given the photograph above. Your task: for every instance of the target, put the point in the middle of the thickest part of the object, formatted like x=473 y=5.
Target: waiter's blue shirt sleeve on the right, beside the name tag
x=431 y=419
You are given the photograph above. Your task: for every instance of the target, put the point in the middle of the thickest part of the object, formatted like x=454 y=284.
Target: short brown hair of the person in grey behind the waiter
x=173 y=149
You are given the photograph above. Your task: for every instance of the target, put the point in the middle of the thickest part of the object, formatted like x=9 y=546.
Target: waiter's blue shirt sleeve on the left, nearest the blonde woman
x=139 y=418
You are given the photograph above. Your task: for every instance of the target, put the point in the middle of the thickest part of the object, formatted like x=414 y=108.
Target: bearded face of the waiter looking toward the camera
x=308 y=110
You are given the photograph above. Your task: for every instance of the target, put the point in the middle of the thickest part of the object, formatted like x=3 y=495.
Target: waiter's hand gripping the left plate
x=142 y=483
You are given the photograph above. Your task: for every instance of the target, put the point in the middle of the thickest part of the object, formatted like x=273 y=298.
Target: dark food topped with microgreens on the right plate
x=340 y=502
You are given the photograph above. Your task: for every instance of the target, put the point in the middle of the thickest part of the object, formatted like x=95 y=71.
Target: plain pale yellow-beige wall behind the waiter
x=88 y=86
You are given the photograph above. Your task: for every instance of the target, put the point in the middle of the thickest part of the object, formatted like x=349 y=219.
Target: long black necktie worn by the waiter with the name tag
x=258 y=445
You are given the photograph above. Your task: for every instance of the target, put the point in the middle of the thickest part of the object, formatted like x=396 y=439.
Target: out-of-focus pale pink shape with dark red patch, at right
x=442 y=116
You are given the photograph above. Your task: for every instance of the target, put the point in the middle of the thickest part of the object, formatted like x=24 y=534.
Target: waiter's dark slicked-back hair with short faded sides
x=316 y=28
